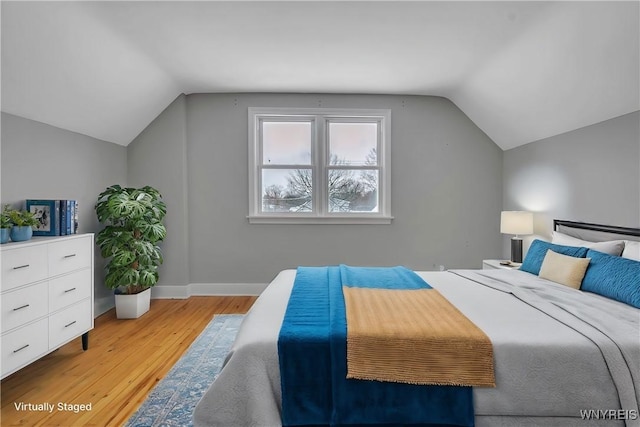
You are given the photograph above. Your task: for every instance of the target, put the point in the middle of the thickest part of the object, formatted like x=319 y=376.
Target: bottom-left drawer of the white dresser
x=24 y=345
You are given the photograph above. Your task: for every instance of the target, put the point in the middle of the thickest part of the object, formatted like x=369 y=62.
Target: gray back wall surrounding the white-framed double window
x=446 y=193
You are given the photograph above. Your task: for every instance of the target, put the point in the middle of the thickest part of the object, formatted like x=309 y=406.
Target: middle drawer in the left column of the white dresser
x=24 y=305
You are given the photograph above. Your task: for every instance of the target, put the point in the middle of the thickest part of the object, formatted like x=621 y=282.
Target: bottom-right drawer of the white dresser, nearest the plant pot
x=69 y=323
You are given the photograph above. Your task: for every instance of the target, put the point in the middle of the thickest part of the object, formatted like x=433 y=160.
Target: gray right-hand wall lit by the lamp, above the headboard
x=591 y=174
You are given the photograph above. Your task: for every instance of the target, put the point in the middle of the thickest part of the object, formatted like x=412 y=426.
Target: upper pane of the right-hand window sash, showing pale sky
x=353 y=144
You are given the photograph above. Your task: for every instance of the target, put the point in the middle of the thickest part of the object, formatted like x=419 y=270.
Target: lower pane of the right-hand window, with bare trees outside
x=353 y=190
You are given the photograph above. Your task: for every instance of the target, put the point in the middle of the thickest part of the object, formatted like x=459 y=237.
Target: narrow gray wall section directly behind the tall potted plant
x=157 y=157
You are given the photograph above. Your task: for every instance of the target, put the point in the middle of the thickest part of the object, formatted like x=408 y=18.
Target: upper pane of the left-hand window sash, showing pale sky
x=286 y=143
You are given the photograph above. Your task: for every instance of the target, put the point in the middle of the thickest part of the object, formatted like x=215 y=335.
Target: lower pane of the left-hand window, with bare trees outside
x=287 y=190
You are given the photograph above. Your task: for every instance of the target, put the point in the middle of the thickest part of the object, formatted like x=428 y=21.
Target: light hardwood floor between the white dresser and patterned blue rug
x=125 y=360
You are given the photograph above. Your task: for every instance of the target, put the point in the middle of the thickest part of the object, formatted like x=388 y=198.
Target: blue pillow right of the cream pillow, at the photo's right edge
x=613 y=277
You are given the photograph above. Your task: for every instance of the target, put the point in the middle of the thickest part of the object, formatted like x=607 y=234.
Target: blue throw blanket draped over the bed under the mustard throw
x=312 y=352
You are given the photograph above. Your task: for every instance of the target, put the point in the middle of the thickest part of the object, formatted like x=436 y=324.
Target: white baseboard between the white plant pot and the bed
x=207 y=289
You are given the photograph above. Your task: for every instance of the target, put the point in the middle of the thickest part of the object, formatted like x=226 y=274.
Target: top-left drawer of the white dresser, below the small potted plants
x=23 y=265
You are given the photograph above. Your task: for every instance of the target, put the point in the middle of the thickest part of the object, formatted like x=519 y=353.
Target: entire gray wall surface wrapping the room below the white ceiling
x=447 y=186
